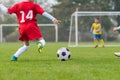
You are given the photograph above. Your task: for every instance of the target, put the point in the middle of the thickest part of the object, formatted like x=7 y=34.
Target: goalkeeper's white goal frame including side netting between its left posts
x=74 y=23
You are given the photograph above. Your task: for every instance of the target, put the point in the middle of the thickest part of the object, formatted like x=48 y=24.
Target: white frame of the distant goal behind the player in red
x=16 y=26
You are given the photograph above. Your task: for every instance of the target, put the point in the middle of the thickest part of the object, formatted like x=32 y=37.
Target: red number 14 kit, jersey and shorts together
x=26 y=13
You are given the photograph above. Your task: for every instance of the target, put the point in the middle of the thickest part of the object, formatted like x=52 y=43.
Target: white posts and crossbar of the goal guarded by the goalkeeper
x=77 y=14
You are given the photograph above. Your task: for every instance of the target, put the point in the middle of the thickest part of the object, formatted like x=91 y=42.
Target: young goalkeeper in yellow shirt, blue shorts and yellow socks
x=97 y=32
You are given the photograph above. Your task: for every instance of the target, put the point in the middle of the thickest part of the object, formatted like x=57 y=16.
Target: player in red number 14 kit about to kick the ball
x=26 y=12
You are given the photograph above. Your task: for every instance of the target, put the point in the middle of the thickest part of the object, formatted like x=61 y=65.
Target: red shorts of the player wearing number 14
x=29 y=31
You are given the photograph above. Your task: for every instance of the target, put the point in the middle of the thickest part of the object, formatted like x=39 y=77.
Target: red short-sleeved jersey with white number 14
x=26 y=11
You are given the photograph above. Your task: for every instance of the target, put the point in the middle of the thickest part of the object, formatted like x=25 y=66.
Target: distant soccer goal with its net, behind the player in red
x=9 y=32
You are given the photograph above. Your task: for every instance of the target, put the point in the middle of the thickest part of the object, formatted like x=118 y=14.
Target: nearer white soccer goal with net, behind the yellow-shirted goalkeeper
x=81 y=22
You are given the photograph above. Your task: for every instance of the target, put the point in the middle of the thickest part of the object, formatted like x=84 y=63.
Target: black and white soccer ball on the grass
x=63 y=54
